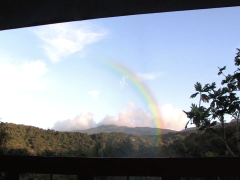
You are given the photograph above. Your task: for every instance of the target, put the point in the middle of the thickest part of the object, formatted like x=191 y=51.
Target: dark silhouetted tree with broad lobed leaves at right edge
x=223 y=101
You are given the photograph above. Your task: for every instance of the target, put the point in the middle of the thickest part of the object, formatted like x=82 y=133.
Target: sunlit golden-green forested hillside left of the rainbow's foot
x=29 y=140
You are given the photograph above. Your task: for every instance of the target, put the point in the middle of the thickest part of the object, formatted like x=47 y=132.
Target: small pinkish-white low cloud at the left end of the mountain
x=83 y=121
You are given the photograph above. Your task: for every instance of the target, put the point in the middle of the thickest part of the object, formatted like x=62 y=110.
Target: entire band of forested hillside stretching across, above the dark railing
x=29 y=140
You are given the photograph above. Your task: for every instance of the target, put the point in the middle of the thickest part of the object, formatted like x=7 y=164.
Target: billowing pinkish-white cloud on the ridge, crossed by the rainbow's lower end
x=171 y=118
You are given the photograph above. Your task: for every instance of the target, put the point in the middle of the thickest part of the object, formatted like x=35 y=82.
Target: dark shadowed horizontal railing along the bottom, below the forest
x=167 y=168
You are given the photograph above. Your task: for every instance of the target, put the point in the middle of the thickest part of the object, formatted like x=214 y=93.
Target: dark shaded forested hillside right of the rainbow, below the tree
x=197 y=143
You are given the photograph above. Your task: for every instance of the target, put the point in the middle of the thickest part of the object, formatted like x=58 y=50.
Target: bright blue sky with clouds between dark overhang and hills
x=58 y=76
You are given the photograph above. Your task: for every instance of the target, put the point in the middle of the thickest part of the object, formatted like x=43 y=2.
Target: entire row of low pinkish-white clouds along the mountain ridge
x=131 y=116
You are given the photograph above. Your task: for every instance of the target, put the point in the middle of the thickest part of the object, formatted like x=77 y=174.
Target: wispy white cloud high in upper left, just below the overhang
x=61 y=40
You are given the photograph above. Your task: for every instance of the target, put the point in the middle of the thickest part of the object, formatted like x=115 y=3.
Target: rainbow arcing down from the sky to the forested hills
x=142 y=88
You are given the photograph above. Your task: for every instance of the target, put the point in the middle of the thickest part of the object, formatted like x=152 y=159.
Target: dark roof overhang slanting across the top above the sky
x=26 y=13
